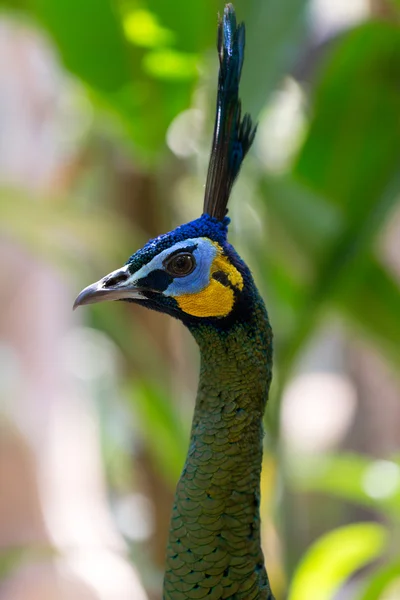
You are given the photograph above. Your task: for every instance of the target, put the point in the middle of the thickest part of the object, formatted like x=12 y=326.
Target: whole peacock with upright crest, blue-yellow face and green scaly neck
x=193 y=274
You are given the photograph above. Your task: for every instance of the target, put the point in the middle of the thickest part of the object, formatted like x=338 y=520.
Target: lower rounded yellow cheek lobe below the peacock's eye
x=215 y=300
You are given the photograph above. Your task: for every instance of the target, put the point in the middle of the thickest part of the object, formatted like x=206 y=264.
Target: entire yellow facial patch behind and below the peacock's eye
x=215 y=300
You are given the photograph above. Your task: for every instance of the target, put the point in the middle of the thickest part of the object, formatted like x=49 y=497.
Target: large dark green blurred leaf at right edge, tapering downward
x=350 y=158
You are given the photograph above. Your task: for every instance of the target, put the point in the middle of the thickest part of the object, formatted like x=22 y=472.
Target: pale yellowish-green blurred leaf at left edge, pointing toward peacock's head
x=59 y=231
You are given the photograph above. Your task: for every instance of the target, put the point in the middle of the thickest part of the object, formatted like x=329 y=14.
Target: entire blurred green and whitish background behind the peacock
x=106 y=117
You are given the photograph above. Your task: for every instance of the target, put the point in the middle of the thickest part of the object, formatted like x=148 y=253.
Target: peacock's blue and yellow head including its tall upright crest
x=192 y=272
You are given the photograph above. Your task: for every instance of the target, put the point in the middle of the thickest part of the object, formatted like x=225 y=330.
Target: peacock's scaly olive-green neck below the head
x=214 y=548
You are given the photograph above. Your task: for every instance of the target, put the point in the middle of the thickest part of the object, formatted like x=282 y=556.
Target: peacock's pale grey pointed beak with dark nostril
x=118 y=285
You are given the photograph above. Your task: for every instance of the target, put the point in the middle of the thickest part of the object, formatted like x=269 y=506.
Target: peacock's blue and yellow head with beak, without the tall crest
x=191 y=273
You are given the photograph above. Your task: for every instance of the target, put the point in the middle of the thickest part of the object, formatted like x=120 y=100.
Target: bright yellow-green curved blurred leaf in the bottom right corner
x=333 y=558
